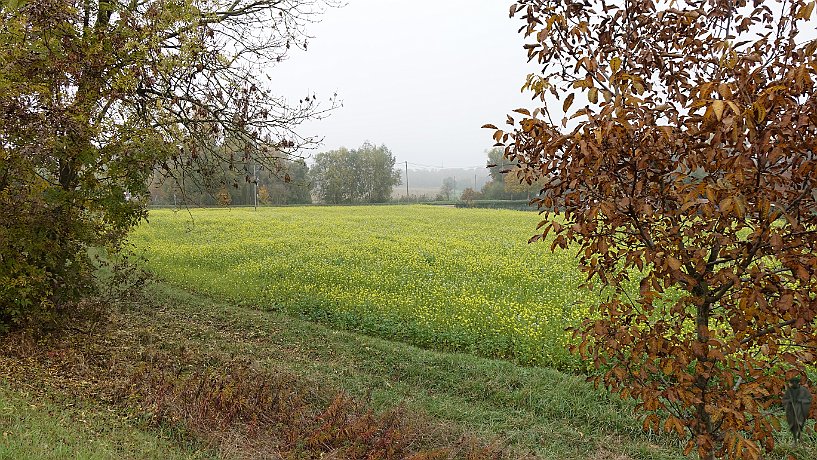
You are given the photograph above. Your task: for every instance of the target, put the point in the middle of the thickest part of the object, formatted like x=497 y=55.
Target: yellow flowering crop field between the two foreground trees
x=444 y=278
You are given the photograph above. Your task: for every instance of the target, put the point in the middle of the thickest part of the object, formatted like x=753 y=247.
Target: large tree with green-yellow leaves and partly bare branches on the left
x=95 y=94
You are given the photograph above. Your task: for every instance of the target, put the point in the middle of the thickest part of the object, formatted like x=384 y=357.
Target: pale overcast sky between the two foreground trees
x=420 y=76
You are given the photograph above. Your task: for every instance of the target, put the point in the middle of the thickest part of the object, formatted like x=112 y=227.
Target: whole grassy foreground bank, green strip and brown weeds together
x=136 y=373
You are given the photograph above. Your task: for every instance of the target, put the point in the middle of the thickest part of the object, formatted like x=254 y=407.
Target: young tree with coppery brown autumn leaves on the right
x=685 y=163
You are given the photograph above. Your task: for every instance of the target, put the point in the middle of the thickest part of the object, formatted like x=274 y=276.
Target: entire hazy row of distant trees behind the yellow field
x=342 y=176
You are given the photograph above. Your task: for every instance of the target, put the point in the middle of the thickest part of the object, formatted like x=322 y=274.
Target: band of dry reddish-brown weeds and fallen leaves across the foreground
x=225 y=403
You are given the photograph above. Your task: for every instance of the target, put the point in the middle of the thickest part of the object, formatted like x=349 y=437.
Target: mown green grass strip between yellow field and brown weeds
x=535 y=411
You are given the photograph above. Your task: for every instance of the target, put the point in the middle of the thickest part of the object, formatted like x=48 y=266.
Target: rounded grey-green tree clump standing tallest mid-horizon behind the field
x=362 y=175
